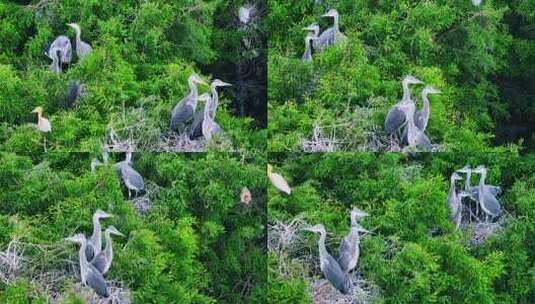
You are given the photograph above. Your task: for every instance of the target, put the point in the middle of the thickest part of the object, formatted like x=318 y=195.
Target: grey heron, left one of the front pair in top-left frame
x=185 y=108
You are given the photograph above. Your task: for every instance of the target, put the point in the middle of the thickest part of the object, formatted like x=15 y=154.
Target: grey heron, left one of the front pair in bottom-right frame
x=328 y=265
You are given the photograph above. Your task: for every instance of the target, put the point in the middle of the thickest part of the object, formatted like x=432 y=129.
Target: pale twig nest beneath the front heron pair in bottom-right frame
x=362 y=292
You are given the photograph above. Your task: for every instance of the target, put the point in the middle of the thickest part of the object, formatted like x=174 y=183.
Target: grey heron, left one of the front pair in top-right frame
x=397 y=115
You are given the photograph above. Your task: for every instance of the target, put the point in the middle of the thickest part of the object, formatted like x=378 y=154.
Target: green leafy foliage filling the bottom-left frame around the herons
x=197 y=244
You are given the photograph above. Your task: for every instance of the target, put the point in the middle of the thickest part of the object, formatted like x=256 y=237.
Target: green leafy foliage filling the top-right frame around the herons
x=450 y=45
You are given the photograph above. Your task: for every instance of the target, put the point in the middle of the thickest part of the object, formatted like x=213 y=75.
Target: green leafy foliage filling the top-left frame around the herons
x=141 y=59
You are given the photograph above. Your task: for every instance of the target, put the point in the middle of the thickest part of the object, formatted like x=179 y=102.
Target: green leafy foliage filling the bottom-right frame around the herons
x=414 y=254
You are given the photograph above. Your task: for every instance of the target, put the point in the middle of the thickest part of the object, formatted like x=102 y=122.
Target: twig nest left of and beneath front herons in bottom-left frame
x=48 y=269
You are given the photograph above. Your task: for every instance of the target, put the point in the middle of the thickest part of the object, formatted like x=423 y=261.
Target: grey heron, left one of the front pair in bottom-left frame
x=88 y=273
